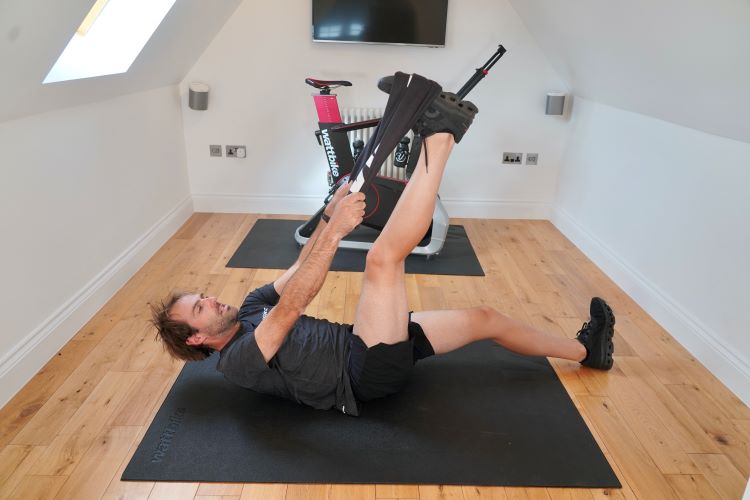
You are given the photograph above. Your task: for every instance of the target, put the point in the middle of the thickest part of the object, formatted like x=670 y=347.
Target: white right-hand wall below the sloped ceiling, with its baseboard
x=664 y=211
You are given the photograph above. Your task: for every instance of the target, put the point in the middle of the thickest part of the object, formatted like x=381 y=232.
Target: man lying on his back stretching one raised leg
x=270 y=346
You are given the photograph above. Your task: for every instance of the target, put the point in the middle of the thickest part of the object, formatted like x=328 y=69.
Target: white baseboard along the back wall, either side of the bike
x=296 y=204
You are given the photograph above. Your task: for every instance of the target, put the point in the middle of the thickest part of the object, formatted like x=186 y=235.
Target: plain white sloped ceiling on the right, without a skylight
x=687 y=62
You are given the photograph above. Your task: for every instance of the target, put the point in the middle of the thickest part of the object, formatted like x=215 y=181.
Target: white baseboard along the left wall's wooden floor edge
x=29 y=355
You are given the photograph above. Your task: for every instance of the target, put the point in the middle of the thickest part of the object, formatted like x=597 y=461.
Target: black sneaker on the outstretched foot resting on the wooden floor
x=596 y=335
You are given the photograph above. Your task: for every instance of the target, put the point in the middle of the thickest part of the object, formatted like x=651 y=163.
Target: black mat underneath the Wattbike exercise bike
x=270 y=244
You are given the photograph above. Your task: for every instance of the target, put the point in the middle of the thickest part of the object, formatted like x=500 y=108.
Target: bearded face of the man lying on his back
x=205 y=314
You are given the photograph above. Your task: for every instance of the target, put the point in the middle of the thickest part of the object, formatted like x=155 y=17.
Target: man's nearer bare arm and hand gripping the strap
x=305 y=283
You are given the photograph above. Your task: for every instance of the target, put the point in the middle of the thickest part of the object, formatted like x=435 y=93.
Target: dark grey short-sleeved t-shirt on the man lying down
x=309 y=367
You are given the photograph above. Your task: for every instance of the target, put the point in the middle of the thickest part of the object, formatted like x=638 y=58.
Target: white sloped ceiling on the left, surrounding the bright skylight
x=33 y=33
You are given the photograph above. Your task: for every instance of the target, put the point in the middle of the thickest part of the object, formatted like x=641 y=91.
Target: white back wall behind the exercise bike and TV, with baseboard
x=256 y=68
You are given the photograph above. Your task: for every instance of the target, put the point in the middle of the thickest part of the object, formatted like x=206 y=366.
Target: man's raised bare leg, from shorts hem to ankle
x=382 y=312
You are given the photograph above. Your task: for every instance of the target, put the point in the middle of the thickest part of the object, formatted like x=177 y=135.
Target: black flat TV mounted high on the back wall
x=408 y=22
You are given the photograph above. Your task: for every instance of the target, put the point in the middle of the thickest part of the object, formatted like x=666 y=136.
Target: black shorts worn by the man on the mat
x=384 y=369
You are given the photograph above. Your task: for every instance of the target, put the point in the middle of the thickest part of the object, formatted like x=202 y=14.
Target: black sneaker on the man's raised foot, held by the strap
x=447 y=113
